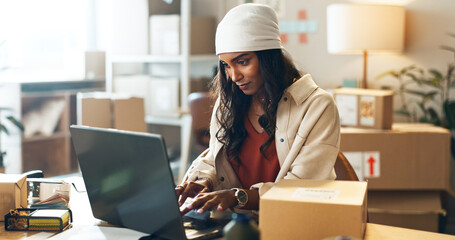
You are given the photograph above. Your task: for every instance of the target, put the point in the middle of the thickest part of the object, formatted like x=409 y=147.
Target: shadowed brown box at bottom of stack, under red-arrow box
x=409 y=209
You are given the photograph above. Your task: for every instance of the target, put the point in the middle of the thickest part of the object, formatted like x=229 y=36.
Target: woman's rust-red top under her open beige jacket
x=254 y=167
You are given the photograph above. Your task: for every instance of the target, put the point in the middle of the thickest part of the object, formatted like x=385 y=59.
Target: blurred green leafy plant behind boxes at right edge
x=425 y=95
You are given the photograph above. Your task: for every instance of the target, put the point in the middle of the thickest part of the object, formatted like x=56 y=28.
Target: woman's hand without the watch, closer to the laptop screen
x=191 y=189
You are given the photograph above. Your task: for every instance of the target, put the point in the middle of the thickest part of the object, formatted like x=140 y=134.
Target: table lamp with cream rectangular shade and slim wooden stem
x=363 y=29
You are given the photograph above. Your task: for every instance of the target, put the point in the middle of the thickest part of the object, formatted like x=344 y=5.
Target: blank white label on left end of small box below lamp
x=347 y=107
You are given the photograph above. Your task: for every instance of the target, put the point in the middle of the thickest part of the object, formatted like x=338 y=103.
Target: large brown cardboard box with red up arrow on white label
x=407 y=157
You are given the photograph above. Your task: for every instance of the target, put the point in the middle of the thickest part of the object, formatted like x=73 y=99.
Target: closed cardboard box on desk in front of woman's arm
x=313 y=209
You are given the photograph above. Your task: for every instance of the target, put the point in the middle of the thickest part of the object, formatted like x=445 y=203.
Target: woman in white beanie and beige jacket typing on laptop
x=269 y=122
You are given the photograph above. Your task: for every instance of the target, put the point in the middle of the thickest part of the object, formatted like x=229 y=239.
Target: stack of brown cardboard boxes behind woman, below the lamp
x=406 y=165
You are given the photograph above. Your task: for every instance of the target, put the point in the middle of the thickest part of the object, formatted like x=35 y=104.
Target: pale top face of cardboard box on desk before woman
x=318 y=191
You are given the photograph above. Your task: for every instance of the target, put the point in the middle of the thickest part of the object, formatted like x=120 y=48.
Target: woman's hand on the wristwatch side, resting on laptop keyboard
x=221 y=200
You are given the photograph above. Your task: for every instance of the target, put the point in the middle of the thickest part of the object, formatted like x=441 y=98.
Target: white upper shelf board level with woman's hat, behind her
x=161 y=58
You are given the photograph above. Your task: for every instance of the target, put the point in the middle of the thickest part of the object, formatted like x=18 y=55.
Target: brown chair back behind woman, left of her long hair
x=201 y=105
